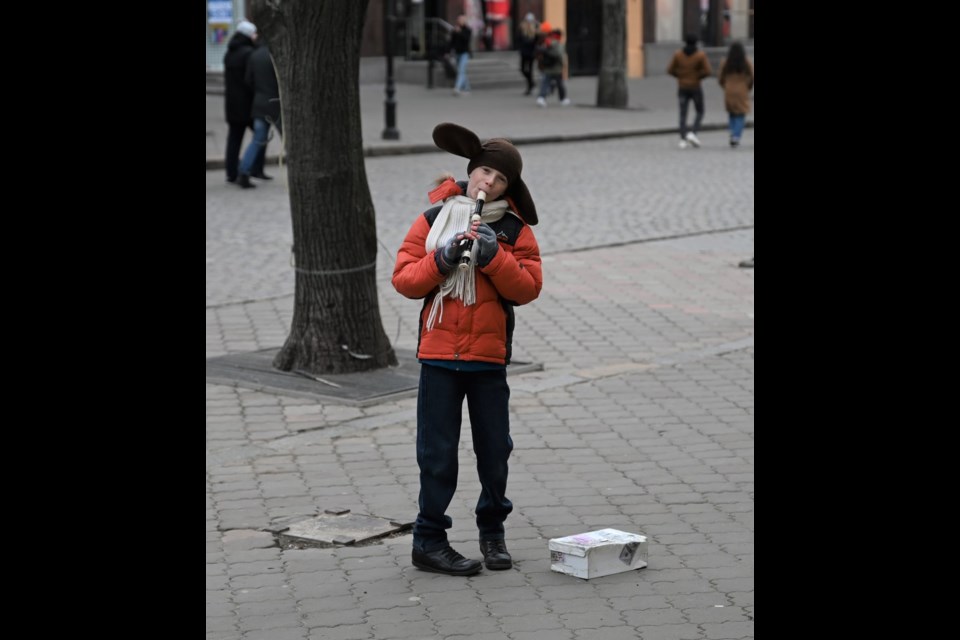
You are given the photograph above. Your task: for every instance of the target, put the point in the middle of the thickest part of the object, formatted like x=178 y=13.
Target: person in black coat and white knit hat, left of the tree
x=238 y=98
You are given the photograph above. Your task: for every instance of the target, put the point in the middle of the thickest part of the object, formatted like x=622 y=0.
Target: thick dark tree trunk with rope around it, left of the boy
x=315 y=46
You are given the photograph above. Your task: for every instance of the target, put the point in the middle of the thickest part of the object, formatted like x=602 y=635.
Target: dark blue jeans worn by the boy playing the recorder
x=439 y=415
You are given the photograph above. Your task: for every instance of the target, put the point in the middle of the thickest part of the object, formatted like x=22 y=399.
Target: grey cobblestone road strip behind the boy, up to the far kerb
x=593 y=194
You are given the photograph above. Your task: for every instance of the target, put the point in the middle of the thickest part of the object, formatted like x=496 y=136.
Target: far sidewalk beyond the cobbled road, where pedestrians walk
x=504 y=112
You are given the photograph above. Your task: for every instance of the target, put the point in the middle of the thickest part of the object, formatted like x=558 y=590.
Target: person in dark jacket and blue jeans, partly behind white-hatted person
x=262 y=80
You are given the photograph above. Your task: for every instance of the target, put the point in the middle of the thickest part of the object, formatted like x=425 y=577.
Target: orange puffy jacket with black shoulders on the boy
x=483 y=331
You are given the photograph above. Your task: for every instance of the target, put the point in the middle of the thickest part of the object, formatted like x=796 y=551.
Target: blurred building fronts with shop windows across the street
x=655 y=29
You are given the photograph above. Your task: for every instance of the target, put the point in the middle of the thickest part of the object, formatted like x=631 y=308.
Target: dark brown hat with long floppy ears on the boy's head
x=496 y=153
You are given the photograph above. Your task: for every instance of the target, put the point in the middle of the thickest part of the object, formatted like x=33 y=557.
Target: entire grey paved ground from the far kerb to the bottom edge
x=642 y=419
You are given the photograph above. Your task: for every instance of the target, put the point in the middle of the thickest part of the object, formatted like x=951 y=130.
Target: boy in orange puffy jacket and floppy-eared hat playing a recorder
x=466 y=332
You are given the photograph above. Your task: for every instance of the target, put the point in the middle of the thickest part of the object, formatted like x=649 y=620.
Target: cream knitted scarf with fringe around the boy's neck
x=454 y=218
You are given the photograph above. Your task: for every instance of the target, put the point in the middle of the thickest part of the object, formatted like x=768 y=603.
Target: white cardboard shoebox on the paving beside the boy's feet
x=598 y=553
